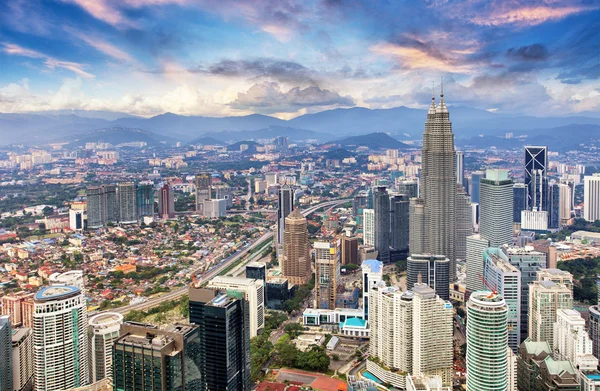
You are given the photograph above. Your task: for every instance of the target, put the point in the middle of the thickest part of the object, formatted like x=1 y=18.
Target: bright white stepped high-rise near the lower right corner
x=572 y=342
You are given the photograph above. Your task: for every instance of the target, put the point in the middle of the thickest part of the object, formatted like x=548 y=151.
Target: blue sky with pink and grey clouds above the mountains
x=285 y=58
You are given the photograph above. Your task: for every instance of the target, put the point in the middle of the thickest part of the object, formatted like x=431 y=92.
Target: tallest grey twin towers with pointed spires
x=432 y=215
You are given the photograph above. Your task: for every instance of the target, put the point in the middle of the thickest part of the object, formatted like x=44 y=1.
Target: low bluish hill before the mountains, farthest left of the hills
x=118 y=135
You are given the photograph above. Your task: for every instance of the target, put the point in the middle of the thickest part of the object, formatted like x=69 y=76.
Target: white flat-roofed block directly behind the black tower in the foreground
x=253 y=291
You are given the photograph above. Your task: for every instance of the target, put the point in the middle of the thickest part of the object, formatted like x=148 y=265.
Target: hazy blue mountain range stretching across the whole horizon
x=401 y=122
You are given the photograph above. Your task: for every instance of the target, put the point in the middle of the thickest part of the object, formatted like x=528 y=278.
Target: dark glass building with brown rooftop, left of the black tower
x=146 y=358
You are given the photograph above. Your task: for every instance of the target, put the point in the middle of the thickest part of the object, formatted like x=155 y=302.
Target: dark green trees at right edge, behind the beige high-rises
x=584 y=271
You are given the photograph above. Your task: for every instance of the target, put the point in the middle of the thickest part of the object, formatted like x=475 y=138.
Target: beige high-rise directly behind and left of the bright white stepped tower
x=545 y=299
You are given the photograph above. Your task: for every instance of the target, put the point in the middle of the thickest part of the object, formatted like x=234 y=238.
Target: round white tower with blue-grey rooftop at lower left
x=60 y=345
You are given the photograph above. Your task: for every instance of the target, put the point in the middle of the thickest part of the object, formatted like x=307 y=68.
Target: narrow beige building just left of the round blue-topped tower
x=22 y=359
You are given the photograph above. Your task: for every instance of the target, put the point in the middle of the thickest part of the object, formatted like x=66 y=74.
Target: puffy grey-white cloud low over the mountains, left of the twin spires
x=269 y=98
